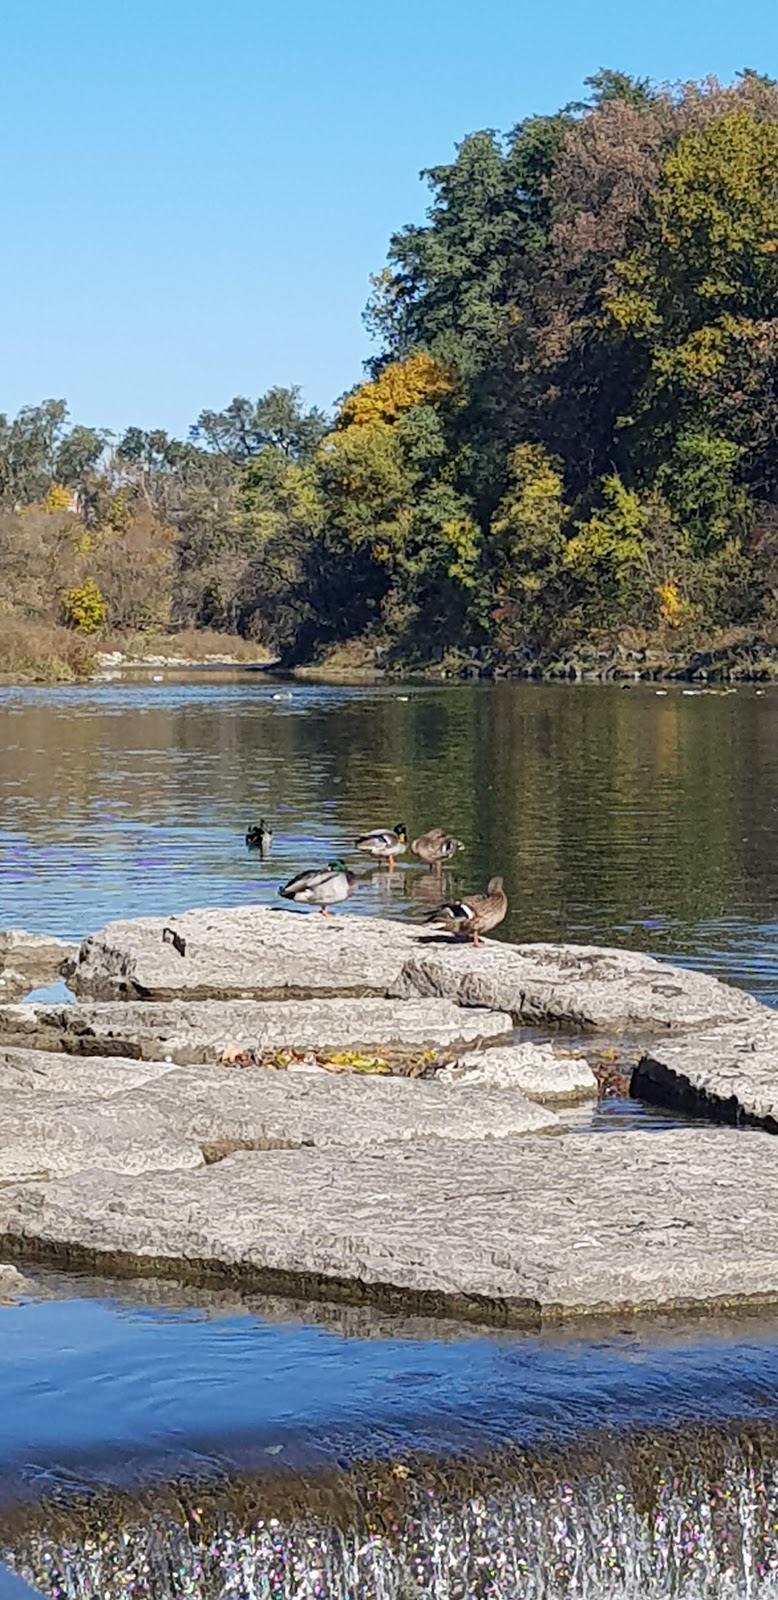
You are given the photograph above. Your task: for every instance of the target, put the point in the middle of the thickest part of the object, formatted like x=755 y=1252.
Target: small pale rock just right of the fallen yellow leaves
x=537 y=1071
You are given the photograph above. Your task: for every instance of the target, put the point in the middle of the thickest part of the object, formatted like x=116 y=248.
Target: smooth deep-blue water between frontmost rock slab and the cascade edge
x=98 y=1390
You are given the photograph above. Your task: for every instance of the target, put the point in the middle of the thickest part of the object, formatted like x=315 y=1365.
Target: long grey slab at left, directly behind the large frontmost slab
x=62 y=1114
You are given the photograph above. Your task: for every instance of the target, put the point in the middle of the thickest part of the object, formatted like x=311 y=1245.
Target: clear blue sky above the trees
x=196 y=191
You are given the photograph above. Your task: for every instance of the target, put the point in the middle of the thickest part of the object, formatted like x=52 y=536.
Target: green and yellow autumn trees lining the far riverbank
x=569 y=430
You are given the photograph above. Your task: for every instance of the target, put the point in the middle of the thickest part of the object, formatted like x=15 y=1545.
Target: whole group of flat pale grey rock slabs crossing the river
x=337 y=1110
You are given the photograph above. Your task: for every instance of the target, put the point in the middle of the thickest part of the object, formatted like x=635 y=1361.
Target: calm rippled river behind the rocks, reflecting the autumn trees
x=616 y=817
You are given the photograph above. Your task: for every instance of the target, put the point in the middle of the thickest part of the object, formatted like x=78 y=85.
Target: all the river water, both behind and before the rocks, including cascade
x=303 y=1446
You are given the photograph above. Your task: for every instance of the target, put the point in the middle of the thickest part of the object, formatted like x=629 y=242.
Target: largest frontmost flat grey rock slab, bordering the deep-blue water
x=515 y=1231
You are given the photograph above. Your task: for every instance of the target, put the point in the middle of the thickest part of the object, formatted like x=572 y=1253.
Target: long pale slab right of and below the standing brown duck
x=575 y=986
